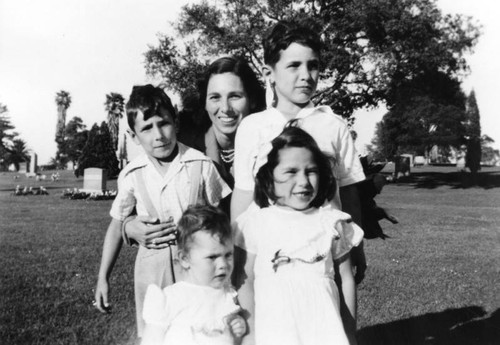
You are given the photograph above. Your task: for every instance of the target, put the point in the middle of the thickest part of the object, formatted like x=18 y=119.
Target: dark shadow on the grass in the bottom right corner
x=463 y=326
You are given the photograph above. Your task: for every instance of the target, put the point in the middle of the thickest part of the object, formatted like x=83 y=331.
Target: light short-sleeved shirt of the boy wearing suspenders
x=170 y=193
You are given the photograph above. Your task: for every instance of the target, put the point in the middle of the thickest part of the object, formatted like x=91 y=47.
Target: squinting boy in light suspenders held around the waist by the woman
x=159 y=184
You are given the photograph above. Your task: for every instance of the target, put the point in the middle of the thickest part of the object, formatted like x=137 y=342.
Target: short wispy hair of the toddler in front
x=203 y=218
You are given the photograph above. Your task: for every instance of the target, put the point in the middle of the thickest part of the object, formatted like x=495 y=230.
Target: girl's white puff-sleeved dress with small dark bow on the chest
x=296 y=298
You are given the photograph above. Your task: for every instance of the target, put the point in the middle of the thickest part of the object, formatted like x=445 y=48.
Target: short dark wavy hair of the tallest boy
x=285 y=33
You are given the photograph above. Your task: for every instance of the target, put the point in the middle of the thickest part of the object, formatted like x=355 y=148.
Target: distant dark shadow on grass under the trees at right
x=431 y=180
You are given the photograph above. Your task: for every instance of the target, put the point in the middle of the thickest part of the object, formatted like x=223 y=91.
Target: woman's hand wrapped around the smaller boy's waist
x=148 y=232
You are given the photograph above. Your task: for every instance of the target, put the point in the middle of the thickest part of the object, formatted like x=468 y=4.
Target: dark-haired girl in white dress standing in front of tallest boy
x=295 y=249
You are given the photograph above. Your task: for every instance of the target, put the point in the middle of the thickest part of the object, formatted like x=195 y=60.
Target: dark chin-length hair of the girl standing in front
x=292 y=136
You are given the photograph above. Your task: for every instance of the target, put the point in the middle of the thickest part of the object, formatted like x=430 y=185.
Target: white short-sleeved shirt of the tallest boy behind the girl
x=328 y=129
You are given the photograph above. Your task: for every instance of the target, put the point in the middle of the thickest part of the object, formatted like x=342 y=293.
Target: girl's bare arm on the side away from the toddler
x=348 y=291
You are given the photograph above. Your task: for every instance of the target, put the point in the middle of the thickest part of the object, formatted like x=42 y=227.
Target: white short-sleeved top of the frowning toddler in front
x=191 y=314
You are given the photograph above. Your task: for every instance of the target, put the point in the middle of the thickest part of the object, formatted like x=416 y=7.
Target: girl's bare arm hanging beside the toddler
x=246 y=295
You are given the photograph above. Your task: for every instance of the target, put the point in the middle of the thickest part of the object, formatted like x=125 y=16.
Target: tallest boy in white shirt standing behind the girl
x=292 y=60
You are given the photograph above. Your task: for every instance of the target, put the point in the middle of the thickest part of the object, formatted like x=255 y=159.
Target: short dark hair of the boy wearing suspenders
x=147 y=99
